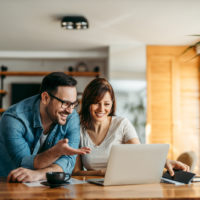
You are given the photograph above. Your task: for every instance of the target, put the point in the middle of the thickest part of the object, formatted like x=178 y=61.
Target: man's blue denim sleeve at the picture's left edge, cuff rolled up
x=13 y=132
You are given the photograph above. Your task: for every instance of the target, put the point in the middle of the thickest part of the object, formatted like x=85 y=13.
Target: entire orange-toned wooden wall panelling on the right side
x=173 y=108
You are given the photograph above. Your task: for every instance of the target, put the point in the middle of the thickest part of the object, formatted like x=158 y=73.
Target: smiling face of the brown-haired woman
x=100 y=111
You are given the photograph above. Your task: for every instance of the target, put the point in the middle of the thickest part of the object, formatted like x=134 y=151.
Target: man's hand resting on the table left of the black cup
x=24 y=175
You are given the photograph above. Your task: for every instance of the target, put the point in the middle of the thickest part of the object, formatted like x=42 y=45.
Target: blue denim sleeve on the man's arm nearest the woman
x=67 y=163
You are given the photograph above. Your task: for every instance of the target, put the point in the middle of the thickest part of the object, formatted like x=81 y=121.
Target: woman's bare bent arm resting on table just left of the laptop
x=78 y=170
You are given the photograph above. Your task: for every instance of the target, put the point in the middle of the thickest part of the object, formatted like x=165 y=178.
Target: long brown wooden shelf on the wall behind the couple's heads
x=11 y=73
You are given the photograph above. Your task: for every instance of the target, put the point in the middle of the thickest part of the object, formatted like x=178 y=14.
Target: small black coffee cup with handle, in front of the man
x=57 y=177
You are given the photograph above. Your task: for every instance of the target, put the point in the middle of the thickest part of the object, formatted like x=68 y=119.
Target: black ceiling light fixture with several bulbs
x=74 y=22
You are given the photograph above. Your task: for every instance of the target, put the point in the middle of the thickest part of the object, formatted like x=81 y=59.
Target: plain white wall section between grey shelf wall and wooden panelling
x=127 y=62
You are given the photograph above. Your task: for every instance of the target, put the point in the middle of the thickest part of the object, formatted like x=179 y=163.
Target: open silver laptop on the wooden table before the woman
x=134 y=164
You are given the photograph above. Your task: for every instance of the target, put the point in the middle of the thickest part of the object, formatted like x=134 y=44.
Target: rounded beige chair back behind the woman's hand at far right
x=189 y=158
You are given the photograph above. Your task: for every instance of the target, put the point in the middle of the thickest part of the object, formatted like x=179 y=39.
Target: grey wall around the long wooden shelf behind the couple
x=32 y=63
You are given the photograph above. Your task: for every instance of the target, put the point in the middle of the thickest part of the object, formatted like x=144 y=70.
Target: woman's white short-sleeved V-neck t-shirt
x=119 y=132
